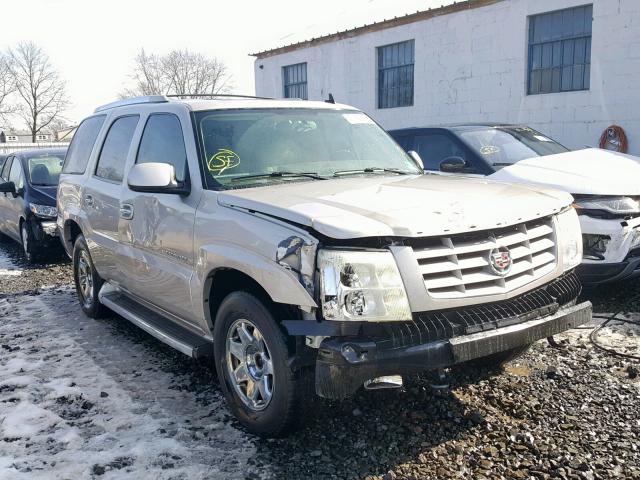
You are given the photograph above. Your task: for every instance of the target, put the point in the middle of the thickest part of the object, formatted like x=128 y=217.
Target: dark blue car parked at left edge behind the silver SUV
x=28 y=186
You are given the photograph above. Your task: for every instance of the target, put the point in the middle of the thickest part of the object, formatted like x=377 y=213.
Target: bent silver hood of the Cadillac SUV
x=410 y=206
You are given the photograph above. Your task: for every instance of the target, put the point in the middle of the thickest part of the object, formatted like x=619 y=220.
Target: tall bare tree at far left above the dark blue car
x=41 y=92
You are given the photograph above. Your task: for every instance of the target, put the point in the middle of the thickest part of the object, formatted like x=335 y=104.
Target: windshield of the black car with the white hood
x=504 y=146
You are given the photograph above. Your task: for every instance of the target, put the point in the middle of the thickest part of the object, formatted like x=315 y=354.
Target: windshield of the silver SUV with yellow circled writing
x=263 y=146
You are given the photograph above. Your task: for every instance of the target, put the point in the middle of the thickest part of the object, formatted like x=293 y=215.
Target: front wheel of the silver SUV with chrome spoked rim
x=287 y=394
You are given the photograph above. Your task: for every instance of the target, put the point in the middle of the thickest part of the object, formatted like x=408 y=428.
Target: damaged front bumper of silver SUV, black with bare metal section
x=345 y=363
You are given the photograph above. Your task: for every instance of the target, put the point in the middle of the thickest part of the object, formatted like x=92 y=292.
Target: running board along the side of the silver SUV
x=163 y=329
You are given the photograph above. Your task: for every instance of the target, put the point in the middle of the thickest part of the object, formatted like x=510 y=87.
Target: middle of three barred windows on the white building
x=395 y=75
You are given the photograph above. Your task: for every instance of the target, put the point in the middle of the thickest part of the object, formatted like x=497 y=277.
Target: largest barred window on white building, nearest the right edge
x=560 y=50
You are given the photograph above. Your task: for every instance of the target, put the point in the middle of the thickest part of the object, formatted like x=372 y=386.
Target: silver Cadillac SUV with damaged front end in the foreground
x=298 y=246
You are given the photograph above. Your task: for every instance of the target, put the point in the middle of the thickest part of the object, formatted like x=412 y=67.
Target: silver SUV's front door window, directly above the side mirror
x=162 y=142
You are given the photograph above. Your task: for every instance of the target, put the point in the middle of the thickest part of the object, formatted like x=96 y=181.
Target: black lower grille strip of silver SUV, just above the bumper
x=441 y=325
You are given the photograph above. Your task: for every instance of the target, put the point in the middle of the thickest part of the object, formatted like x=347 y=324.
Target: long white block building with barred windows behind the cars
x=568 y=68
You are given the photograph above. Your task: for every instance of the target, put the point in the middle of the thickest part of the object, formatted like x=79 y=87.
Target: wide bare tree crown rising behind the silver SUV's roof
x=179 y=72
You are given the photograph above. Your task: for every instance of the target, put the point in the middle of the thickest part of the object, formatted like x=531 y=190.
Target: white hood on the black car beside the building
x=588 y=172
